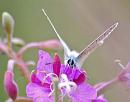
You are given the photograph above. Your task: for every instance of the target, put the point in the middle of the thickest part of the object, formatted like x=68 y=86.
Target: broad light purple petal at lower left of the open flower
x=37 y=93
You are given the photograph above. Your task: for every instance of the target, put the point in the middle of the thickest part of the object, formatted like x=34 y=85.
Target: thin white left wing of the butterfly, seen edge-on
x=66 y=48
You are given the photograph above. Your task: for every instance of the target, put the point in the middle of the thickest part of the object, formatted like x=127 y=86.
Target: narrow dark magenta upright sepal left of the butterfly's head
x=56 y=65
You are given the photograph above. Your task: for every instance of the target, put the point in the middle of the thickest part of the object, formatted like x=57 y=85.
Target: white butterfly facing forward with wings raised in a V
x=72 y=57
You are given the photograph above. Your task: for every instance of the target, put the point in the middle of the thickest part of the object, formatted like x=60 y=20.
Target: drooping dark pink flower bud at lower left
x=10 y=85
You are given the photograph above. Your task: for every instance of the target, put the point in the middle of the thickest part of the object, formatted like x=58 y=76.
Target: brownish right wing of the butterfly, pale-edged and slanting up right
x=95 y=44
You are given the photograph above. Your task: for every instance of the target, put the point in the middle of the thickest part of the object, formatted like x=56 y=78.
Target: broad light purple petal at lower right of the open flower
x=83 y=93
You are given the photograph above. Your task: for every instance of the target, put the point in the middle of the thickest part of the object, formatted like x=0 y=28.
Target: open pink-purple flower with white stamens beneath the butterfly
x=71 y=81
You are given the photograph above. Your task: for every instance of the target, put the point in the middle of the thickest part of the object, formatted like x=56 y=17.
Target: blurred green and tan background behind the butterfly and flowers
x=79 y=22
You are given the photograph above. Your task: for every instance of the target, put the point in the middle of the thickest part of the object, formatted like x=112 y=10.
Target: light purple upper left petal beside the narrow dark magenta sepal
x=44 y=62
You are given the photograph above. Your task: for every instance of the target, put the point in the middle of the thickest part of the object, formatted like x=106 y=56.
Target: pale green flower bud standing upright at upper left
x=7 y=23
